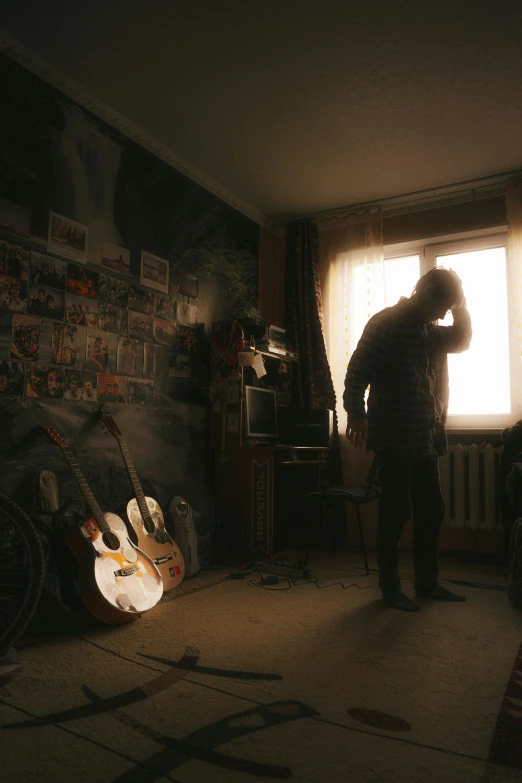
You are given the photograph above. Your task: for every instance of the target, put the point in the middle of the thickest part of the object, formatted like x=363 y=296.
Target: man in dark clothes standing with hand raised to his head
x=402 y=355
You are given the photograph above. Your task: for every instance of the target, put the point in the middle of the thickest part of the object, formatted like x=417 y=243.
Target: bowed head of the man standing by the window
x=438 y=291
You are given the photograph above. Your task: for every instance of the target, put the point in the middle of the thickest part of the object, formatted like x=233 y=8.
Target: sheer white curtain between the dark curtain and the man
x=354 y=289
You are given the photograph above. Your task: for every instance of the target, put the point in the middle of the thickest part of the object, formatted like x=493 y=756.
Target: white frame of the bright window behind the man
x=427 y=249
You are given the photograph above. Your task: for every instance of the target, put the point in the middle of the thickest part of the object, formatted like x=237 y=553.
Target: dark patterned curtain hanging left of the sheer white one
x=312 y=380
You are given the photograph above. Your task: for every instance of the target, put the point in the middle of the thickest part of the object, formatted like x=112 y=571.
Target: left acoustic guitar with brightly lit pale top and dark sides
x=118 y=581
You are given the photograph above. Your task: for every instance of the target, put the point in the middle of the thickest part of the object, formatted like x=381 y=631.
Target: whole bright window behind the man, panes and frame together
x=486 y=380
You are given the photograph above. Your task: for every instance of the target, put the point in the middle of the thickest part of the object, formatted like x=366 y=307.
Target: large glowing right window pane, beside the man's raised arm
x=480 y=377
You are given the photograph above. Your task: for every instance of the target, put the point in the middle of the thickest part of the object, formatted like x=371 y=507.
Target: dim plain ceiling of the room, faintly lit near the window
x=300 y=107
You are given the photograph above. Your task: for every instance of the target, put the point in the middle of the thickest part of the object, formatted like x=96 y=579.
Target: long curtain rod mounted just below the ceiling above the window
x=467 y=190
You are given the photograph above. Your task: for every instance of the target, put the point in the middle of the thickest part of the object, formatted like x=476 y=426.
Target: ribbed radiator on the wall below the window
x=469 y=482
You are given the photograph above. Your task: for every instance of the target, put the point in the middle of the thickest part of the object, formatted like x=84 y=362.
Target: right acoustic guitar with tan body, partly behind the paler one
x=145 y=517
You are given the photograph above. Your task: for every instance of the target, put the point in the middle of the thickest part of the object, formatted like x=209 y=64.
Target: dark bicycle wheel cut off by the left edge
x=11 y=513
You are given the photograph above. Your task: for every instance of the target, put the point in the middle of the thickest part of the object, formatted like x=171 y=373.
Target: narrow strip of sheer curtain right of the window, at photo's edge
x=514 y=252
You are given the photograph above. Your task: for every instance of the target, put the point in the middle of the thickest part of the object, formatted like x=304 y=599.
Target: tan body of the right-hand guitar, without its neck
x=157 y=544
